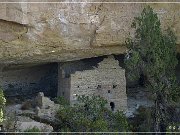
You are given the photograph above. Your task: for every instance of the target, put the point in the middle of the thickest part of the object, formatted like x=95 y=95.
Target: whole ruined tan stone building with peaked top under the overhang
x=107 y=80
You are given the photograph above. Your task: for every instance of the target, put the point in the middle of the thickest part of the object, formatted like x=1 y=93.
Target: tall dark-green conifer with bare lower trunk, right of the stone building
x=153 y=54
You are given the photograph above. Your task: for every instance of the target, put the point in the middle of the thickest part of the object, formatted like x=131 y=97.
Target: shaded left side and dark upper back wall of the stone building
x=66 y=69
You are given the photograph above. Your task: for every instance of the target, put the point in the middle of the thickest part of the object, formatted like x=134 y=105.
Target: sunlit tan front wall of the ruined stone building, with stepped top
x=108 y=81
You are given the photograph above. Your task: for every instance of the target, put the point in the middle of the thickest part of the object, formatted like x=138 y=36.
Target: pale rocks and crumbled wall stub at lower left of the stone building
x=39 y=112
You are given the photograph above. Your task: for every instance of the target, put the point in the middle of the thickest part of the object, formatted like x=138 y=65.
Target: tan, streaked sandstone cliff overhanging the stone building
x=52 y=32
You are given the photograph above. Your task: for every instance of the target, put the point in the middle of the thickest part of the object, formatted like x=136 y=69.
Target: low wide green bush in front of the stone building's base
x=90 y=115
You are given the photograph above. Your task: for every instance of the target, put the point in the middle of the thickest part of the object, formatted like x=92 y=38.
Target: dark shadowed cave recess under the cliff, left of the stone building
x=25 y=82
